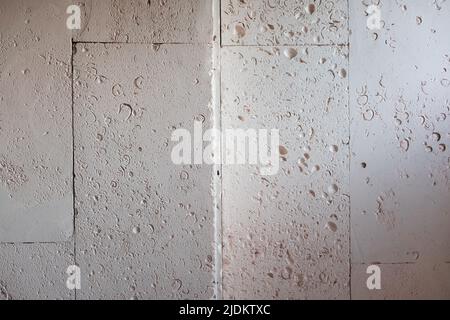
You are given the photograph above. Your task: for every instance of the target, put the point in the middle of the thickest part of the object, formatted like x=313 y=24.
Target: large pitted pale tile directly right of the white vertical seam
x=286 y=236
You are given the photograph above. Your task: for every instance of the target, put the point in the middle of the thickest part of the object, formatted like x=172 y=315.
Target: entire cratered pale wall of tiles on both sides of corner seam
x=86 y=177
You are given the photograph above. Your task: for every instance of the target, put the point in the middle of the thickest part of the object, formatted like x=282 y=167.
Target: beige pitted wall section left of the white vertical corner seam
x=143 y=227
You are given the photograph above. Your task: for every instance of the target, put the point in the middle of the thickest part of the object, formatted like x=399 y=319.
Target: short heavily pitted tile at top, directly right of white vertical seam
x=269 y=22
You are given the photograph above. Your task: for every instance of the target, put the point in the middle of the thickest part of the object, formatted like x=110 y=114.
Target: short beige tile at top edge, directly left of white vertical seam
x=143 y=21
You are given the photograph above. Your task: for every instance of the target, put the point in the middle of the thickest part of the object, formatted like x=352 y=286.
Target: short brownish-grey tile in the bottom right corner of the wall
x=411 y=281
